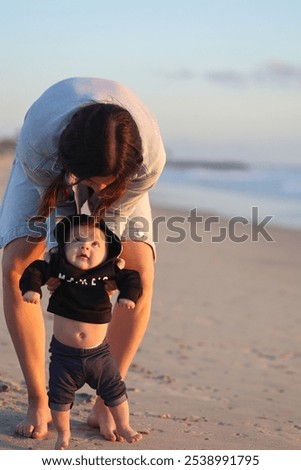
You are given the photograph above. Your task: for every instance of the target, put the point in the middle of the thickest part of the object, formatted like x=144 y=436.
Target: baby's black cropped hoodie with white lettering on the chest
x=82 y=294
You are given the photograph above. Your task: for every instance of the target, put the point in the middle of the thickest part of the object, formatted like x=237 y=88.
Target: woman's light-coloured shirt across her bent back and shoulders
x=48 y=116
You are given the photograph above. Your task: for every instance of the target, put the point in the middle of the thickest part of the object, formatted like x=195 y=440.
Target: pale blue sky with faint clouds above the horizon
x=222 y=77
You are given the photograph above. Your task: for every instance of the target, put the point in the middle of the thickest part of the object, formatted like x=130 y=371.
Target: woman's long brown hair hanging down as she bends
x=100 y=140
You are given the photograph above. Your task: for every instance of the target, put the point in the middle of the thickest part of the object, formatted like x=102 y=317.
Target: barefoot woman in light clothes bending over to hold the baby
x=84 y=140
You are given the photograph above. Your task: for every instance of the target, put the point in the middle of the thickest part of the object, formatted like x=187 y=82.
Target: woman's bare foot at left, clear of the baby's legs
x=35 y=425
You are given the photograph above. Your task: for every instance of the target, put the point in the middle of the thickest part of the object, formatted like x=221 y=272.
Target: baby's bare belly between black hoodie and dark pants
x=78 y=334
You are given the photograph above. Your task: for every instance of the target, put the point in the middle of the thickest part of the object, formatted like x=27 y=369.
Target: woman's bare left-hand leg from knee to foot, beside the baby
x=26 y=327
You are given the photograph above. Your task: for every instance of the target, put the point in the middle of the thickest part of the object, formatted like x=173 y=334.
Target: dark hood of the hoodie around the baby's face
x=62 y=229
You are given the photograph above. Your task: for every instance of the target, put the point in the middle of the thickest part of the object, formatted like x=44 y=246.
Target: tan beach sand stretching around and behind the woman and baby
x=219 y=367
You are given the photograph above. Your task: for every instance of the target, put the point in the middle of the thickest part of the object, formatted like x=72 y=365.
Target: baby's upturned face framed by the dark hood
x=86 y=247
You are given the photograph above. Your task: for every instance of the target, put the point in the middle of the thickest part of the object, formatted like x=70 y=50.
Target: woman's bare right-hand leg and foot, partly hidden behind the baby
x=127 y=328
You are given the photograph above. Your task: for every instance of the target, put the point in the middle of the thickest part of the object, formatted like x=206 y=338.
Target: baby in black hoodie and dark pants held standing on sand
x=87 y=268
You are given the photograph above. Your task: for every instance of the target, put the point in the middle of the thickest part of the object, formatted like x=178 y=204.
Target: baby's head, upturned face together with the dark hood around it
x=83 y=241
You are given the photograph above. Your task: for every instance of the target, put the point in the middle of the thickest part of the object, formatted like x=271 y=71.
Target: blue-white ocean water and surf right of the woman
x=231 y=189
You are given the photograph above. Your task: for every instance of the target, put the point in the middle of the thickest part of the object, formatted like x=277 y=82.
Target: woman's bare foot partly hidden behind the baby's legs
x=101 y=418
